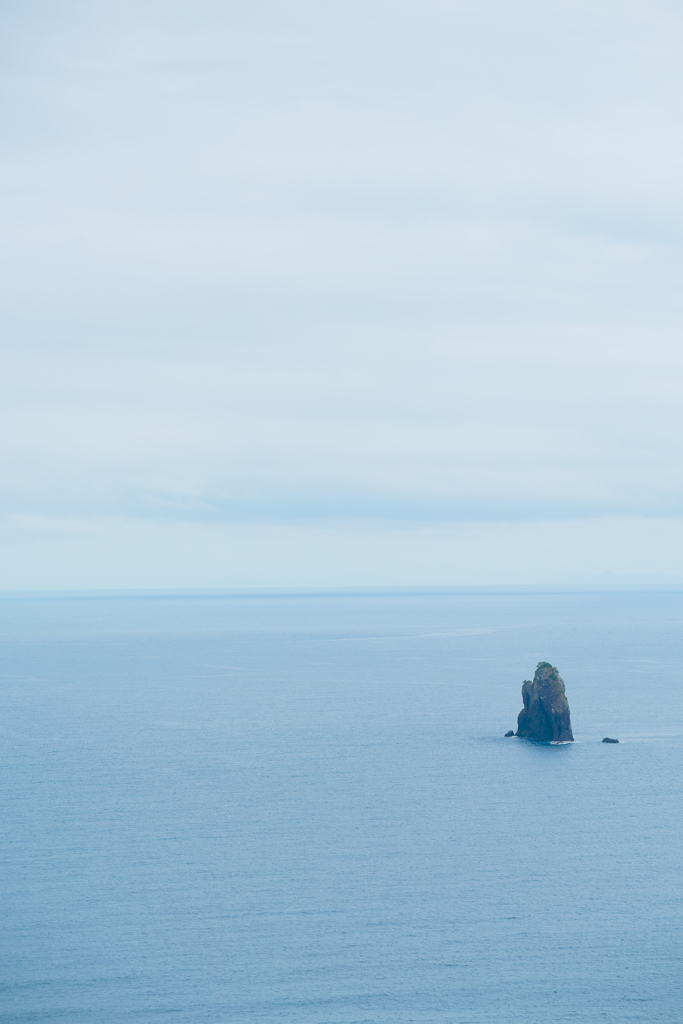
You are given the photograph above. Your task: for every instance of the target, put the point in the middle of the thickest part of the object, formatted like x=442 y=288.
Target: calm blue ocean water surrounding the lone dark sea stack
x=302 y=808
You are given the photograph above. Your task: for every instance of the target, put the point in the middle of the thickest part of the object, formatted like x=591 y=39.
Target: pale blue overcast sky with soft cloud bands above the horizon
x=382 y=293
